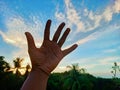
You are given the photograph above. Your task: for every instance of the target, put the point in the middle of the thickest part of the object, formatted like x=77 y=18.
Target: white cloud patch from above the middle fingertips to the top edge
x=70 y=16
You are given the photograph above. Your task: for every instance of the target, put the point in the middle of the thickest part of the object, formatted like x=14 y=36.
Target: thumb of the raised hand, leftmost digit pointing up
x=30 y=40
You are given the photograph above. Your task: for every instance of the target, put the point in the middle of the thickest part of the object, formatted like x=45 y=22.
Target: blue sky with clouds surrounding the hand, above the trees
x=95 y=27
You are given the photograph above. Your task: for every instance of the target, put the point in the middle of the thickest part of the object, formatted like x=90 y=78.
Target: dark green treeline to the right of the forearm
x=69 y=81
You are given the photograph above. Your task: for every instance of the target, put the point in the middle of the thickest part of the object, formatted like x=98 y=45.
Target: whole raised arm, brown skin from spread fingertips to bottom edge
x=45 y=59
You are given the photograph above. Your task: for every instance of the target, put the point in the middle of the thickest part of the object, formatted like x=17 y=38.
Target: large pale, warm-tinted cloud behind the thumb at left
x=16 y=27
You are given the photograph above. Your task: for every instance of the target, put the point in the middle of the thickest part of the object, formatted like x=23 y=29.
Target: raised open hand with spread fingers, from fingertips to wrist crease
x=48 y=56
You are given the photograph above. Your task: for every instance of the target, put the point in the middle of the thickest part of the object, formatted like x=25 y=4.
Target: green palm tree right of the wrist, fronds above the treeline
x=72 y=81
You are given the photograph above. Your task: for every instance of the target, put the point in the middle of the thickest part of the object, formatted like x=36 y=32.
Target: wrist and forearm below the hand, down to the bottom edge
x=37 y=80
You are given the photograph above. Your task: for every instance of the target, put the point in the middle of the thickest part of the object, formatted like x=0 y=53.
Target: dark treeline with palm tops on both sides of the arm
x=74 y=79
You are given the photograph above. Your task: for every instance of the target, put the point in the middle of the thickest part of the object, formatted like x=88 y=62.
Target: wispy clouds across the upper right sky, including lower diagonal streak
x=85 y=21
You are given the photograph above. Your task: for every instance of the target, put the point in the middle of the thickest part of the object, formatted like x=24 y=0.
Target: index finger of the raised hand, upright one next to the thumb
x=47 y=30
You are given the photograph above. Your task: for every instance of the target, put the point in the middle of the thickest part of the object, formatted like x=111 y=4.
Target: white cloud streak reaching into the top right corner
x=106 y=15
